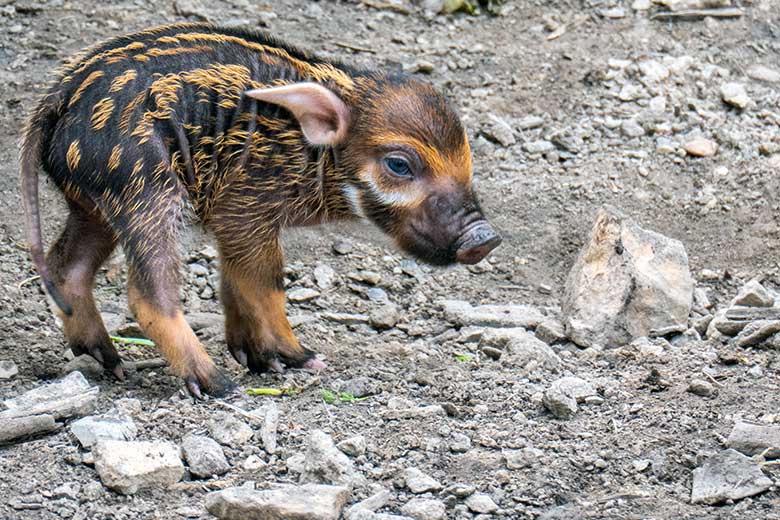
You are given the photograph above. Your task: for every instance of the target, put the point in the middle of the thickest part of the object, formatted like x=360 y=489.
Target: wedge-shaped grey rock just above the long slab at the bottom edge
x=326 y=464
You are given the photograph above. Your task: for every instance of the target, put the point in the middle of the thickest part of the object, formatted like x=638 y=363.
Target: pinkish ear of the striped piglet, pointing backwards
x=322 y=115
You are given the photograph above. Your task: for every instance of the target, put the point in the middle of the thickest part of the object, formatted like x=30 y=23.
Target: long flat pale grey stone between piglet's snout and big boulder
x=461 y=313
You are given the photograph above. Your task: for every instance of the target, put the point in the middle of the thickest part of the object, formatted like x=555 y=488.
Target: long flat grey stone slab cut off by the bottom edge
x=284 y=502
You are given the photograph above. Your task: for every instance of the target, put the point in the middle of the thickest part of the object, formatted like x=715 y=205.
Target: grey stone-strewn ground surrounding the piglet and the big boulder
x=431 y=409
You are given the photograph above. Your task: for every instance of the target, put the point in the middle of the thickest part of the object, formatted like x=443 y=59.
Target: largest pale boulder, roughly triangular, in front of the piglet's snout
x=626 y=283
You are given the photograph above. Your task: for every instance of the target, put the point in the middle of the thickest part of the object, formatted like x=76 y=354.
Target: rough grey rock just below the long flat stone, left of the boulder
x=522 y=348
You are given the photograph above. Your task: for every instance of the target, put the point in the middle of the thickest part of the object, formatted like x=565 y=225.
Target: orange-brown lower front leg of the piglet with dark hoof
x=256 y=327
